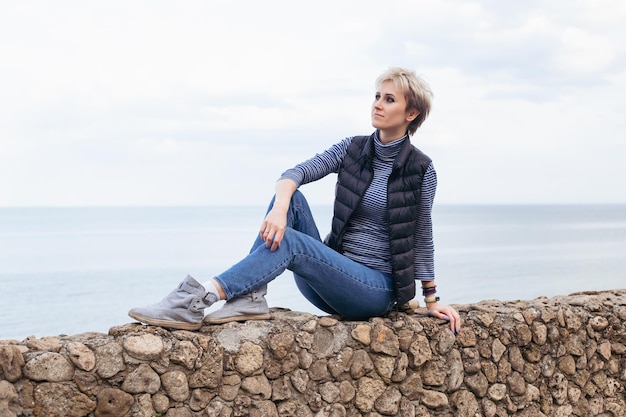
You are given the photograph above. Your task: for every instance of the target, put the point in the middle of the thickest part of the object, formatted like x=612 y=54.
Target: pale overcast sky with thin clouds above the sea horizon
x=208 y=102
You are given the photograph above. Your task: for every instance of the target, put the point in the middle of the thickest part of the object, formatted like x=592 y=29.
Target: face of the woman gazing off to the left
x=389 y=113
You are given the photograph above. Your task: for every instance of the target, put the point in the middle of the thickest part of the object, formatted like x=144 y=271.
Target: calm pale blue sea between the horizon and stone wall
x=75 y=270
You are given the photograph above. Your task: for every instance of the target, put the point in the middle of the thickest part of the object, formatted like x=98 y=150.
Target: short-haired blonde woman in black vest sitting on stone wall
x=381 y=239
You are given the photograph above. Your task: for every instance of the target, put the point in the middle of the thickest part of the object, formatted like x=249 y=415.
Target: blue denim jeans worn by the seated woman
x=329 y=280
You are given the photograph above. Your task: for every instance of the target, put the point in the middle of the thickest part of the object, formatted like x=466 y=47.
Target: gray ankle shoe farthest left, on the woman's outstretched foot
x=183 y=308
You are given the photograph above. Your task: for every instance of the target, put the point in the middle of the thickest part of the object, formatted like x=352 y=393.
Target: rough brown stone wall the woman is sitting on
x=564 y=356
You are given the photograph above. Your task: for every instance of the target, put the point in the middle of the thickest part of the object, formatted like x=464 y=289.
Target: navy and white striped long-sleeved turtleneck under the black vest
x=367 y=239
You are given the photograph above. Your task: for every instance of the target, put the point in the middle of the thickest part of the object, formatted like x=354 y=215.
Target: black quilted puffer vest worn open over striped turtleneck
x=403 y=196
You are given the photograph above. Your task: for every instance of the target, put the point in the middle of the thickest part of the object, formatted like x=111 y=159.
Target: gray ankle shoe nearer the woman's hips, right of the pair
x=251 y=306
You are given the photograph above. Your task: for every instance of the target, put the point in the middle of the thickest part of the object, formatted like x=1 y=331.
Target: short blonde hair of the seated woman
x=416 y=90
